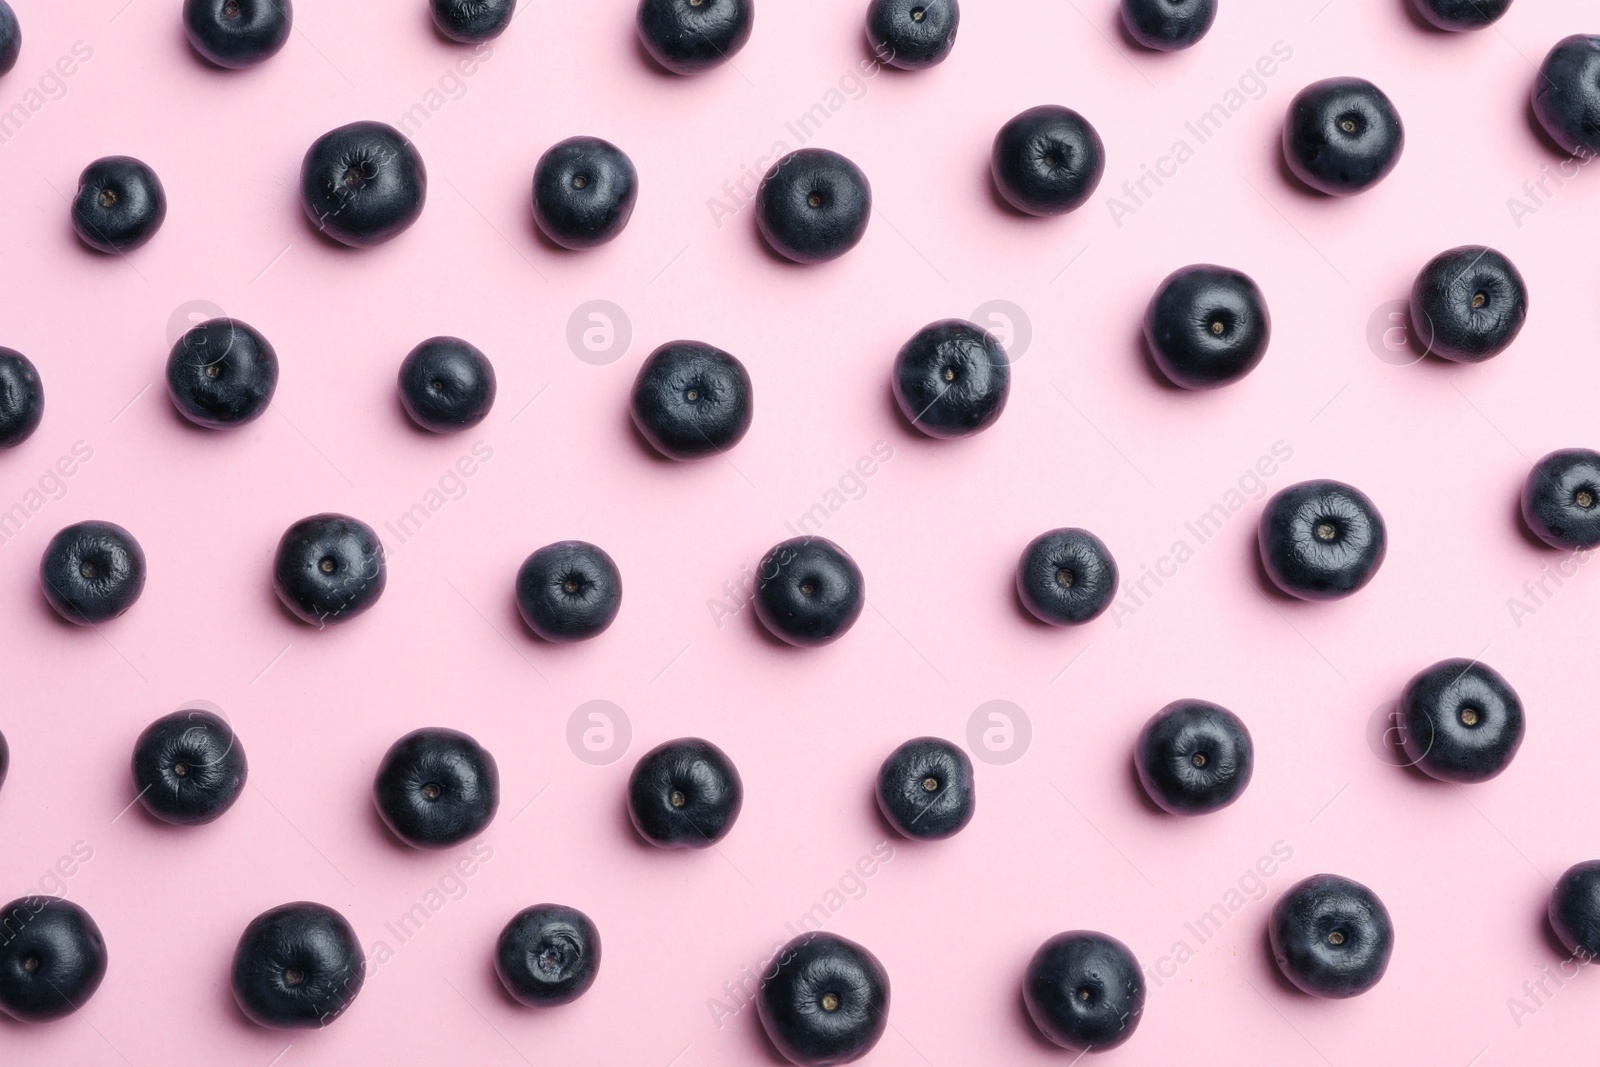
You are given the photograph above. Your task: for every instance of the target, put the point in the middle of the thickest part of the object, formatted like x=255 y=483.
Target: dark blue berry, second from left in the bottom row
x=298 y=967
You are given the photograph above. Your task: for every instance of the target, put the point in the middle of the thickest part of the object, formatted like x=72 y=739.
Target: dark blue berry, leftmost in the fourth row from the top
x=92 y=572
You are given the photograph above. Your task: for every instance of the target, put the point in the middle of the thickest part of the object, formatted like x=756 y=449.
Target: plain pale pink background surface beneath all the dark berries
x=1062 y=839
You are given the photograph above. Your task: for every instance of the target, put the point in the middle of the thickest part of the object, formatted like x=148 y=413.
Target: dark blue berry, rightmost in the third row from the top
x=1471 y=303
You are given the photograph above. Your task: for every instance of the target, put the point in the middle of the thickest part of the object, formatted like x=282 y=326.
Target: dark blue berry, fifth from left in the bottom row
x=1076 y=964
